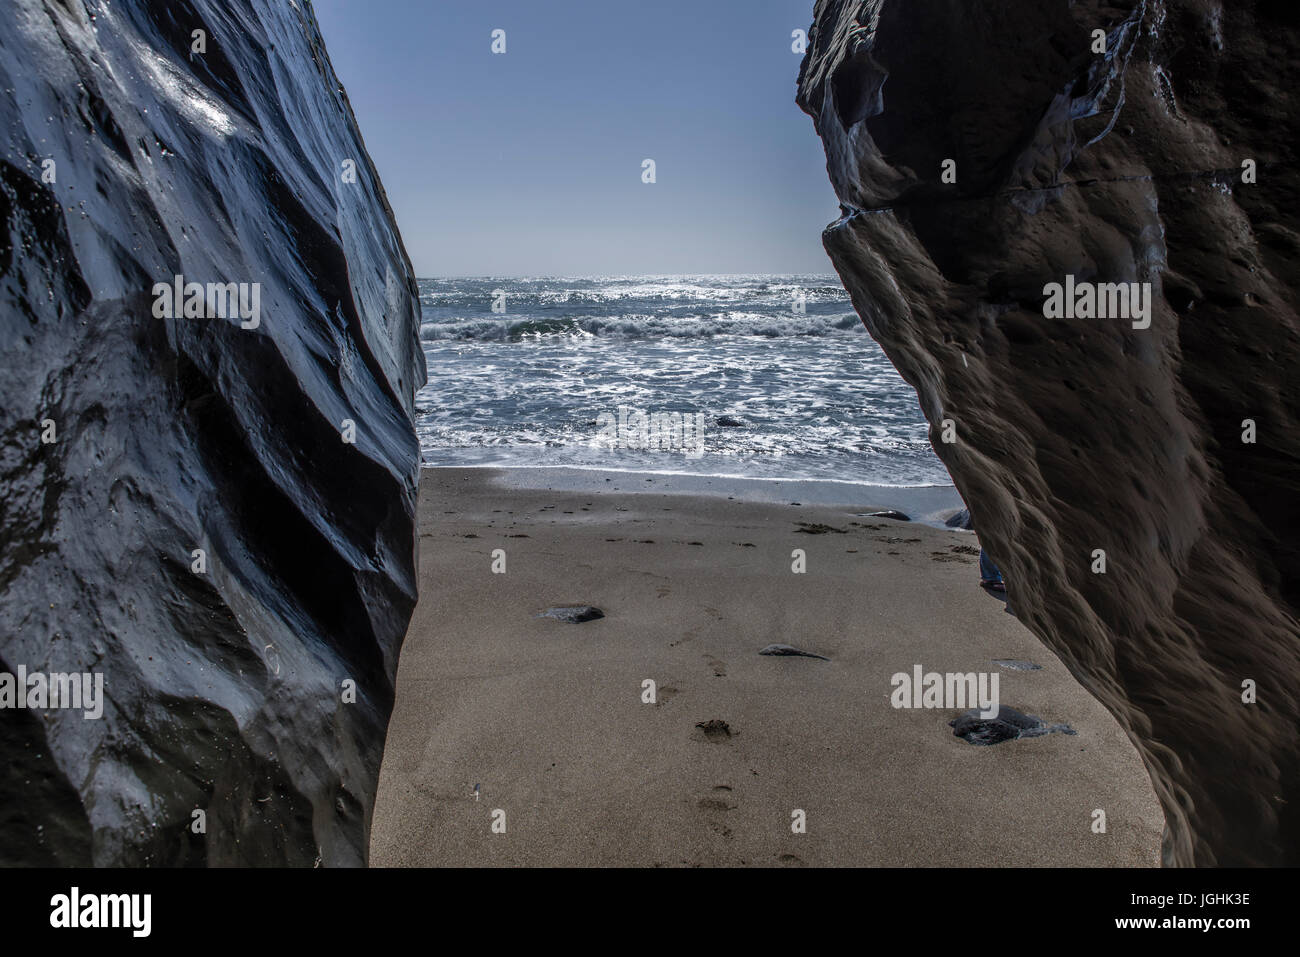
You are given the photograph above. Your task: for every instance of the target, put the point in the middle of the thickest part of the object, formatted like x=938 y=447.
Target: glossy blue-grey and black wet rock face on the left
x=131 y=159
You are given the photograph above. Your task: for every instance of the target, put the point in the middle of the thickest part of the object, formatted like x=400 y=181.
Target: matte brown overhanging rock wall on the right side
x=1082 y=435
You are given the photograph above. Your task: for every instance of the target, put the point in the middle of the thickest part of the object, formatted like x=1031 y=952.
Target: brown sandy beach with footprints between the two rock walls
x=548 y=720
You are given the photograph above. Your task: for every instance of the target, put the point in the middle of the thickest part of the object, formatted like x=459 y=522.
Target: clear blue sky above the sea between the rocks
x=530 y=163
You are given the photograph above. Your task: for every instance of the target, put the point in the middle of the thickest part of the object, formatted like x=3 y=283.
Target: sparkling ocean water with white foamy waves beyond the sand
x=543 y=383
